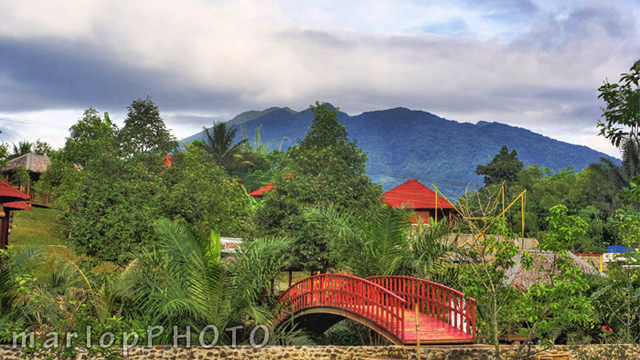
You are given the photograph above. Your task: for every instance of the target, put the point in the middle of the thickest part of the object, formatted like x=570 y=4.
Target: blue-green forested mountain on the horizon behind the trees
x=409 y=144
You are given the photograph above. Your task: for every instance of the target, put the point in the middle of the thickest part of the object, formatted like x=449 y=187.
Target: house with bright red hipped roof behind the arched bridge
x=419 y=198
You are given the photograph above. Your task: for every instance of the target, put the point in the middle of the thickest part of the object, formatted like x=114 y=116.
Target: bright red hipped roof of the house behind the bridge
x=415 y=195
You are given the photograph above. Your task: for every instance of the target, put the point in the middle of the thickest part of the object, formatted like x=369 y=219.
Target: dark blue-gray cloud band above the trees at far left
x=49 y=74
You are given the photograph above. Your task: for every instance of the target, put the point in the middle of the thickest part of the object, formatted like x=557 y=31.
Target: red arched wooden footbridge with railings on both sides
x=386 y=304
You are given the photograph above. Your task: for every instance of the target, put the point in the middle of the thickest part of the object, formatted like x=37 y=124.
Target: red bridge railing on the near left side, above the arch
x=349 y=293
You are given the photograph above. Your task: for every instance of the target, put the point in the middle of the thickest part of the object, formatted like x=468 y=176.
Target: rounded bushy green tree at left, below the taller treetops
x=115 y=202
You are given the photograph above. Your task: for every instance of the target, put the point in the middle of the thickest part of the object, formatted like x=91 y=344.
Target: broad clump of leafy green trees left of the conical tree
x=112 y=193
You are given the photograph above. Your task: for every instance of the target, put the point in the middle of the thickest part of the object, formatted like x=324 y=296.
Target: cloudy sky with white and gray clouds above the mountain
x=535 y=64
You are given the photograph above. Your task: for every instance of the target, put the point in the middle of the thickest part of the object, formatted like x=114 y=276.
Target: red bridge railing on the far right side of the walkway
x=437 y=300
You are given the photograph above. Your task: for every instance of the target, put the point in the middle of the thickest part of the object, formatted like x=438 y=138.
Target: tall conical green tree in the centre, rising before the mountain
x=326 y=167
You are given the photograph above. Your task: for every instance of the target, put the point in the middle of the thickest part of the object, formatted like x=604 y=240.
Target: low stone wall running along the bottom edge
x=451 y=352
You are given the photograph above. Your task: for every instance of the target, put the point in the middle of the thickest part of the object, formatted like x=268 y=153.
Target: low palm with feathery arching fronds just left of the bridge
x=183 y=282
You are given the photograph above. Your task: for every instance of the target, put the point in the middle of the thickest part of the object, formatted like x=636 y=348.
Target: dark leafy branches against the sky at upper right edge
x=622 y=111
